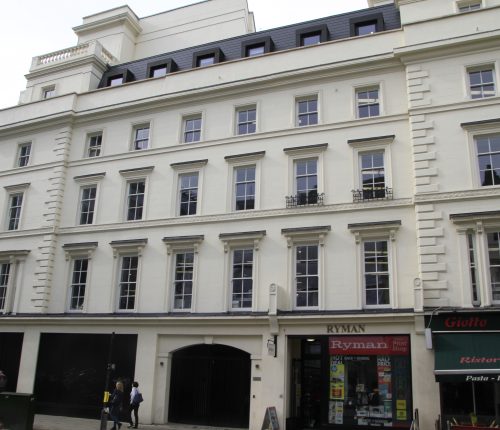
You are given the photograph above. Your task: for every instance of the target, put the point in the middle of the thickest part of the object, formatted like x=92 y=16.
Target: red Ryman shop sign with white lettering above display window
x=369 y=345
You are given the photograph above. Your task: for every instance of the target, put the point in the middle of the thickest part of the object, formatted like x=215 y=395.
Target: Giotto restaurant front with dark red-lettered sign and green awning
x=467 y=366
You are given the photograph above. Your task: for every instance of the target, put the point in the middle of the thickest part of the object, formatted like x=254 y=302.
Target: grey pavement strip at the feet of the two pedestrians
x=52 y=422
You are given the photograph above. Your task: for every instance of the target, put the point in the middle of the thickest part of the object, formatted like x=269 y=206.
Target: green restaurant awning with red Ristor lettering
x=473 y=357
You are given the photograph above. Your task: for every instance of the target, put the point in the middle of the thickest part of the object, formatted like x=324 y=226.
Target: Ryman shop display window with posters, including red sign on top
x=370 y=381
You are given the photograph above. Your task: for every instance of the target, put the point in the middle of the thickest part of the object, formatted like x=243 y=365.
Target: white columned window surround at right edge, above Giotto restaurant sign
x=479 y=225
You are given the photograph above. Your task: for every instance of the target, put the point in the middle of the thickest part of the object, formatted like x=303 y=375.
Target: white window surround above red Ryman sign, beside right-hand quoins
x=370 y=232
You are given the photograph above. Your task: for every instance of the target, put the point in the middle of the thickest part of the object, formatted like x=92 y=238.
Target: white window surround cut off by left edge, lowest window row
x=13 y=289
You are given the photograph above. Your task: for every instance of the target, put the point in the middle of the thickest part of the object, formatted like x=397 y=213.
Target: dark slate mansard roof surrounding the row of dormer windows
x=337 y=27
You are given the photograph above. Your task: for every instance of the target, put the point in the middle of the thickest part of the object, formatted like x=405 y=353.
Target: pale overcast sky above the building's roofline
x=34 y=27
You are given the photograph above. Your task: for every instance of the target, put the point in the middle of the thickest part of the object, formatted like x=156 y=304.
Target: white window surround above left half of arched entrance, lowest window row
x=176 y=245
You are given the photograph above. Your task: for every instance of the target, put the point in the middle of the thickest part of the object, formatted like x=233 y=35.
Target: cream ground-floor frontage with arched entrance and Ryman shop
x=338 y=372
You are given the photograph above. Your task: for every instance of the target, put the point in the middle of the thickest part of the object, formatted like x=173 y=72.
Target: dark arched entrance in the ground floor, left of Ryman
x=210 y=385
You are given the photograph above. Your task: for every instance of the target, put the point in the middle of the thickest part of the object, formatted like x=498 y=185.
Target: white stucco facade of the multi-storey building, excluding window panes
x=426 y=132
